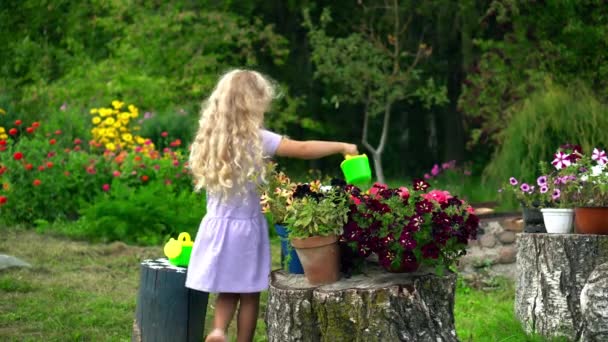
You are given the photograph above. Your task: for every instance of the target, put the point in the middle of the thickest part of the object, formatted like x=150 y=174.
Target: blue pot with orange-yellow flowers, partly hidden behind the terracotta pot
x=277 y=195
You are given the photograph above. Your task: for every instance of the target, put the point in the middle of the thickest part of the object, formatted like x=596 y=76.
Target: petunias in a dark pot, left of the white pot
x=530 y=196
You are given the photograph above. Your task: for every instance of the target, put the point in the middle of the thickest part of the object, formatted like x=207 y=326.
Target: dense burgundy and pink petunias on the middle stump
x=409 y=228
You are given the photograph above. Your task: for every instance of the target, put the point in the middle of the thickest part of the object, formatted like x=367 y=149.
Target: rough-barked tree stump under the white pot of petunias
x=552 y=271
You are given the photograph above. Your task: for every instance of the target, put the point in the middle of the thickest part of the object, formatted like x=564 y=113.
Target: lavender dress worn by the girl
x=231 y=252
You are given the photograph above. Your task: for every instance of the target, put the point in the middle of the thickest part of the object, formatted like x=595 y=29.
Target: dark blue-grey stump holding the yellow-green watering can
x=166 y=309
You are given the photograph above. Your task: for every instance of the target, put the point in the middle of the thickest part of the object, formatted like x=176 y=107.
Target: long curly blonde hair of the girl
x=227 y=151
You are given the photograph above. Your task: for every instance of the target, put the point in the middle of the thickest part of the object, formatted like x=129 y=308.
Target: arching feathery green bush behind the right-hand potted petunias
x=550 y=118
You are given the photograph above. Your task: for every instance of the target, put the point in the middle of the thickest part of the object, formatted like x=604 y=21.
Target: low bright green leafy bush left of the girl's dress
x=146 y=215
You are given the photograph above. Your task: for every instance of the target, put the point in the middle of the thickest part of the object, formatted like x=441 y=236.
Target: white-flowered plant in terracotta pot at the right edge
x=590 y=194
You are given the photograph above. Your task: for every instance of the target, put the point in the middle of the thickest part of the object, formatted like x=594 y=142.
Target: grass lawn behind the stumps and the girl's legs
x=81 y=291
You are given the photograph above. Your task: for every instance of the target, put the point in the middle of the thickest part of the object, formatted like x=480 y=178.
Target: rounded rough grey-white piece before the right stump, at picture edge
x=594 y=305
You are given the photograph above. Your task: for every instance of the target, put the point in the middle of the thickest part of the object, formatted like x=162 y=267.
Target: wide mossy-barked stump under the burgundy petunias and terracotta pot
x=375 y=306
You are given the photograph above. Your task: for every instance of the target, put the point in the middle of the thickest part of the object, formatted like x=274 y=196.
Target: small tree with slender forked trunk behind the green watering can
x=376 y=66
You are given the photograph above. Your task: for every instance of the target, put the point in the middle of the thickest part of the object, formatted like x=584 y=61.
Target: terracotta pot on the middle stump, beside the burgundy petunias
x=320 y=258
